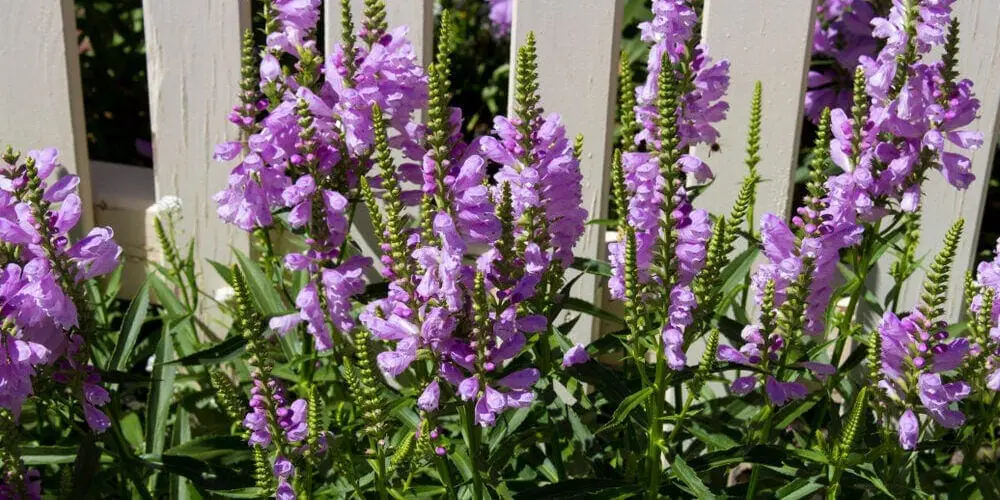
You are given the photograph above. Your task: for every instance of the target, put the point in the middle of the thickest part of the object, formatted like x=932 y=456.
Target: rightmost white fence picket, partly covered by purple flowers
x=978 y=60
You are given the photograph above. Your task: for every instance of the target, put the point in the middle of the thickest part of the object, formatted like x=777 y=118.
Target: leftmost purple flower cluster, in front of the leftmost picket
x=46 y=322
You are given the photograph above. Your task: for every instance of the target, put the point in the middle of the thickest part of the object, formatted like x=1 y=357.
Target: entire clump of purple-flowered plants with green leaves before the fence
x=401 y=325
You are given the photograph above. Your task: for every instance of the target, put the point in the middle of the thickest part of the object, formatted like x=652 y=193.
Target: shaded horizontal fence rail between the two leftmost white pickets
x=122 y=195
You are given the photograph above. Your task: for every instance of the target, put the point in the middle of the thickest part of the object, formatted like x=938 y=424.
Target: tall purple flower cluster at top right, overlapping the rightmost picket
x=905 y=110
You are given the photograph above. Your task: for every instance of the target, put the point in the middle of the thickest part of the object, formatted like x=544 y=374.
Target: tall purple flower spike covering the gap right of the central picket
x=676 y=107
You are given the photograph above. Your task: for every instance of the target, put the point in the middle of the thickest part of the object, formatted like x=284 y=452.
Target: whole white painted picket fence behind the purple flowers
x=193 y=67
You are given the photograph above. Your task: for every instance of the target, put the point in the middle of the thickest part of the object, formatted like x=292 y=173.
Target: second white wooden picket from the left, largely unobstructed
x=193 y=60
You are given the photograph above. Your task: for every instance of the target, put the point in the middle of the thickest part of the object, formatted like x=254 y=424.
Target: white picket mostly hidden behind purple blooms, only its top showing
x=418 y=15
